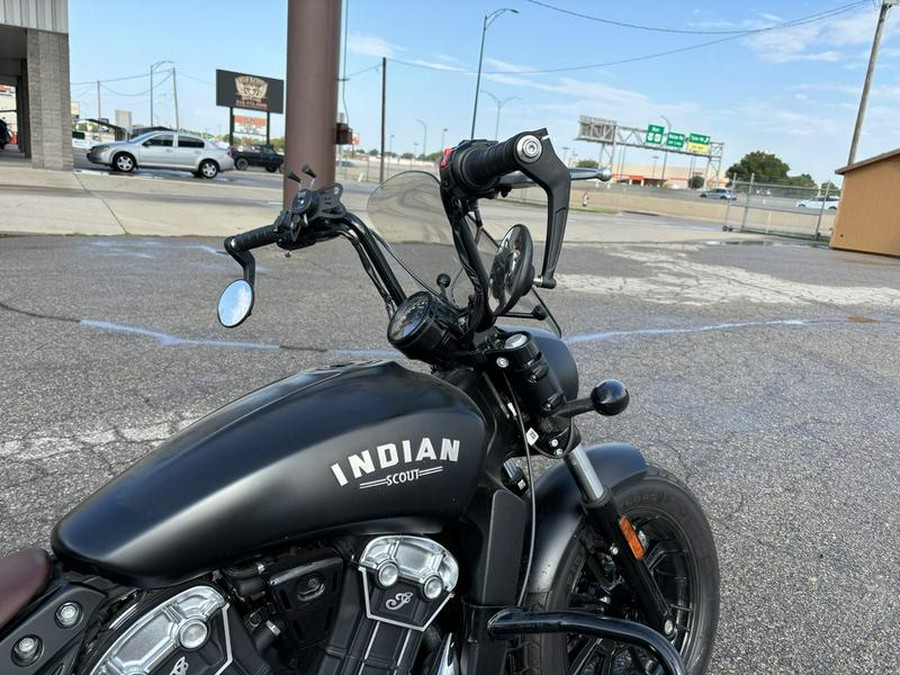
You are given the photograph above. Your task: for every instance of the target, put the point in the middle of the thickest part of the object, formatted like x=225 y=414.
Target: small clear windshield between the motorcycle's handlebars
x=409 y=221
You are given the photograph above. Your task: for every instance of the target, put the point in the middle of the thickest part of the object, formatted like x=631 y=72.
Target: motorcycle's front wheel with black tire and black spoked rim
x=681 y=556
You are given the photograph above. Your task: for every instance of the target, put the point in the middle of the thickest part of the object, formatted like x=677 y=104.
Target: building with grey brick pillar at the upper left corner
x=34 y=60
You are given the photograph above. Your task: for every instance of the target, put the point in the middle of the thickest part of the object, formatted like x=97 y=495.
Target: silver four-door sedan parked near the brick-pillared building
x=164 y=150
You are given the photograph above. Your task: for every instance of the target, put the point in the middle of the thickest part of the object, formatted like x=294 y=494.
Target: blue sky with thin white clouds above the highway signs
x=793 y=91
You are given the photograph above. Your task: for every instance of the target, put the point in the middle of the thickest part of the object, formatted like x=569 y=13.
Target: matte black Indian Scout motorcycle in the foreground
x=372 y=518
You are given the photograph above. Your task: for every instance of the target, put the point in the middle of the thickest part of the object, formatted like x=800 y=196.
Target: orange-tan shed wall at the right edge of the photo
x=868 y=219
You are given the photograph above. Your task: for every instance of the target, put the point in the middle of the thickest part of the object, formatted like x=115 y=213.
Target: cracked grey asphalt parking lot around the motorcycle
x=765 y=374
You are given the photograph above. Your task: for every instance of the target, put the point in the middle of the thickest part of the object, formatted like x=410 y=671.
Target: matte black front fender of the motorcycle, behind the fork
x=558 y=504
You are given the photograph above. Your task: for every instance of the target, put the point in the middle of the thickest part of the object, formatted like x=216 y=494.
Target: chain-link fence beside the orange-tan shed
x=774 y=208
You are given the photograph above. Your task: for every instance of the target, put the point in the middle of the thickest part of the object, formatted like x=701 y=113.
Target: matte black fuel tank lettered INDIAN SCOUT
x=365 y=447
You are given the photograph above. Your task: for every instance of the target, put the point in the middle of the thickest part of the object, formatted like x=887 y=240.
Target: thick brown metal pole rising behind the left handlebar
x=313 y=57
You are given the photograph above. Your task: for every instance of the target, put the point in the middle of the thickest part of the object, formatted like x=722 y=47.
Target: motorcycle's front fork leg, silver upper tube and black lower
x=604 y=516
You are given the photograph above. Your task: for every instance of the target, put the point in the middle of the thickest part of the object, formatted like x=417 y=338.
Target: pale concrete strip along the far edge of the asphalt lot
x=34 y=201
